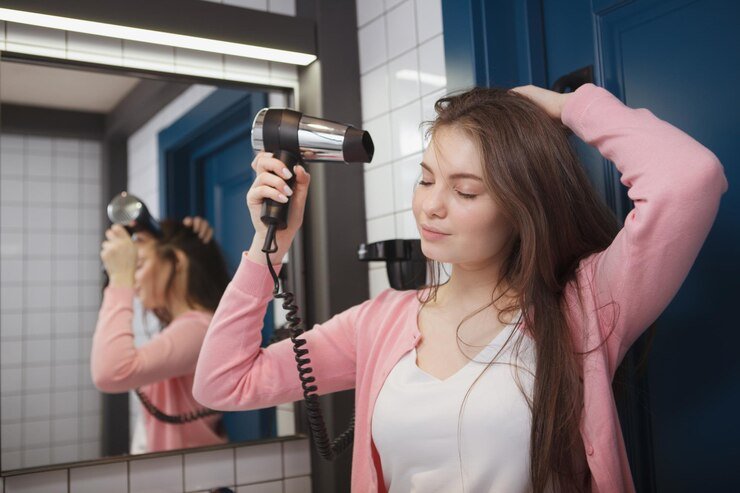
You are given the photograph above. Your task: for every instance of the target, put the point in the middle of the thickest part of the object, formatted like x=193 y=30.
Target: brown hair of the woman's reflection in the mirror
x=207 y=274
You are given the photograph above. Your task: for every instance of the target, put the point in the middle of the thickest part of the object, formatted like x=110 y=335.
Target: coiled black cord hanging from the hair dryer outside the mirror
x=328 y=449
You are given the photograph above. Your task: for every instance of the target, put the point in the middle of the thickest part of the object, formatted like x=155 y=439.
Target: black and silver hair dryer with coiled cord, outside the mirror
x=294 y=138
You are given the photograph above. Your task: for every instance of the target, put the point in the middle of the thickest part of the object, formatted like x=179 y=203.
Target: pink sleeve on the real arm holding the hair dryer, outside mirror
x=235 y=373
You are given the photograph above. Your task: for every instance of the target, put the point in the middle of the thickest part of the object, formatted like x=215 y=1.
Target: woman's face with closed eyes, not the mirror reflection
x=458 y=220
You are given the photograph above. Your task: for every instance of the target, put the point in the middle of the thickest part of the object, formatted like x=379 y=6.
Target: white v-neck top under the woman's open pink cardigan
x=427 y=445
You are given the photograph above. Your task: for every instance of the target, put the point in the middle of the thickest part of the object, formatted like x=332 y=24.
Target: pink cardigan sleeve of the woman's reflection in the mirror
x=117 y=365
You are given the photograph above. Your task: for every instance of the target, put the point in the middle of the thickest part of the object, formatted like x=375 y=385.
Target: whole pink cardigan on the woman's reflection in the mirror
x=163 y=368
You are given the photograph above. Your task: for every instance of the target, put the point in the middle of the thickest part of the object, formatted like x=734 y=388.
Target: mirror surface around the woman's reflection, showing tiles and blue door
x=66 y=140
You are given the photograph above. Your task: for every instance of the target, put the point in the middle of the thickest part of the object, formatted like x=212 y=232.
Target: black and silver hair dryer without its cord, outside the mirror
x=294 y=138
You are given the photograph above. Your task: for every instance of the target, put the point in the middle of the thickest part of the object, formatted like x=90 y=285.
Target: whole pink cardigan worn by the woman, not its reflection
x=675 y=184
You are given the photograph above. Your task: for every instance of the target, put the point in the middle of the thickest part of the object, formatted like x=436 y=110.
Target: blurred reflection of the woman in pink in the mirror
x=180 y=277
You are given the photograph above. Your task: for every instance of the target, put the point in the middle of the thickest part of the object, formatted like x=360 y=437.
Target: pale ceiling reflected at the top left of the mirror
x=61 y=88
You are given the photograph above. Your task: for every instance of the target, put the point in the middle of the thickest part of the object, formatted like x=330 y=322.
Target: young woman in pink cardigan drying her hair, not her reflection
x=500 y=378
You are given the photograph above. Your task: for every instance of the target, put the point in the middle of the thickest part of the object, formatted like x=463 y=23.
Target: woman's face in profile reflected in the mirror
x=150 y=279
